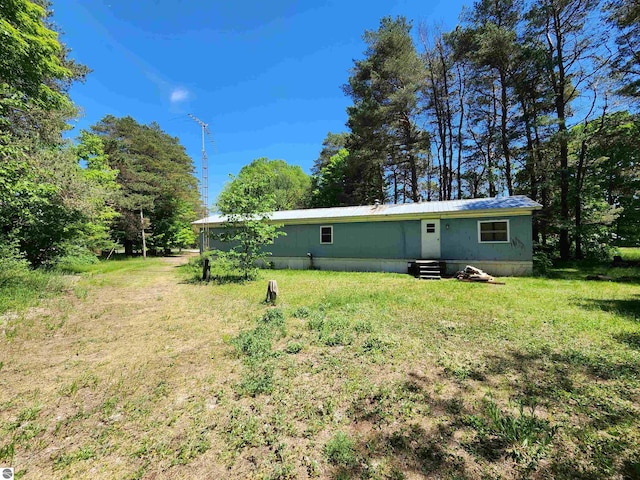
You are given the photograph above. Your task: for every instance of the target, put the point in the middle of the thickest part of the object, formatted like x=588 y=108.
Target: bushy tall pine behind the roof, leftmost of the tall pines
x=386 y=135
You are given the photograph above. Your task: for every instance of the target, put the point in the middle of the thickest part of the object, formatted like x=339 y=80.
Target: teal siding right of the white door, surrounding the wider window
x=460 y=240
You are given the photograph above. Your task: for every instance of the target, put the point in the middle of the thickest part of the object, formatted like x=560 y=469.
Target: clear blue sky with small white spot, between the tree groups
x=265 y=75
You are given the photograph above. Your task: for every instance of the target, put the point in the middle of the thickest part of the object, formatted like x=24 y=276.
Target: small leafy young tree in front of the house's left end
x=247 y=206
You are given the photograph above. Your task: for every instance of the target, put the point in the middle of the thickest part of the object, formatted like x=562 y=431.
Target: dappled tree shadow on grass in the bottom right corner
x=556 y=421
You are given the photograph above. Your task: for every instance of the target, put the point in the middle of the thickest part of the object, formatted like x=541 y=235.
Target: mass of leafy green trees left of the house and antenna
x=64 y=201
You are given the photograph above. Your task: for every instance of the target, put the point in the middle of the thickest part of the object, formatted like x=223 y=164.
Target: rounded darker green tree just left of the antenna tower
x=156 y=177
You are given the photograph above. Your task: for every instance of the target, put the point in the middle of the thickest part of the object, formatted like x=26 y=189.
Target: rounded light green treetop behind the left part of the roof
x=287 y=184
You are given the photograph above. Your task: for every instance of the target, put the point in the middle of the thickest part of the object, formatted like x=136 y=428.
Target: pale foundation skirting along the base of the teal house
x=492 y=267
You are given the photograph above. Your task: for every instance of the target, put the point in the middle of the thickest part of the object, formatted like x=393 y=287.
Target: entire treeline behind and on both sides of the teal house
x=535 y=97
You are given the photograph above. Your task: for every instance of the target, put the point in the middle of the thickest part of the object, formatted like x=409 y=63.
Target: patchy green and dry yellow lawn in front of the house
x=141 y=374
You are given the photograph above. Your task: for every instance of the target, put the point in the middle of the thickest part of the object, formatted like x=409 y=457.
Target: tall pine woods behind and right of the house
x=528 y=97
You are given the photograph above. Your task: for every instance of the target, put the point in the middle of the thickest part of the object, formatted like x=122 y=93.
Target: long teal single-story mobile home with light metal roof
x=493 y=234
